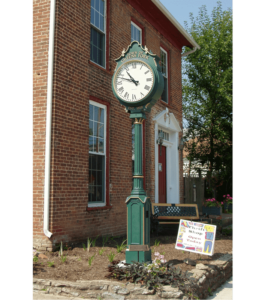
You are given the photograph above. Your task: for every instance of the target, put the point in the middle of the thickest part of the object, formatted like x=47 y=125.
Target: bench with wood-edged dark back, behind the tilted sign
x=168 y=213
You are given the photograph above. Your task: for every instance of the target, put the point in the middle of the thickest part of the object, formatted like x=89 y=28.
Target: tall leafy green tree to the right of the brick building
x=207 y=90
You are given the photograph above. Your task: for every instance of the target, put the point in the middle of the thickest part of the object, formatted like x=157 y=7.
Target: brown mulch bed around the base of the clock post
x=76 y=266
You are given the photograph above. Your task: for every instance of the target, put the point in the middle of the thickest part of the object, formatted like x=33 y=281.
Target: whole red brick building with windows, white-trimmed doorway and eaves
x=82 y=136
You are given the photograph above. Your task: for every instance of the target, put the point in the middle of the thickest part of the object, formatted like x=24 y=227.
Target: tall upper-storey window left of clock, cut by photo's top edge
x=98 y=30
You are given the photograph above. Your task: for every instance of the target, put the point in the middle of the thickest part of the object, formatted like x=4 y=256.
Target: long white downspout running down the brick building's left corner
x=49 y=123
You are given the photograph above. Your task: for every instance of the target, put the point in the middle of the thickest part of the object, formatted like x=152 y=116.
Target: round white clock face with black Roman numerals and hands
x=133 y=81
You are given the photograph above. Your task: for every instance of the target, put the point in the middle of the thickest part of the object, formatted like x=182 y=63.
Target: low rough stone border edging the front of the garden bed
x=203 y=277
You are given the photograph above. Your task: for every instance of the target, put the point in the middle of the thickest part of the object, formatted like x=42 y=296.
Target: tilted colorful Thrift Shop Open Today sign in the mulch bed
x=196 y=237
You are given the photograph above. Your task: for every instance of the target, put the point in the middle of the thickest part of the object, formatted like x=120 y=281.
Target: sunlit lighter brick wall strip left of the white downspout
x=40 y=43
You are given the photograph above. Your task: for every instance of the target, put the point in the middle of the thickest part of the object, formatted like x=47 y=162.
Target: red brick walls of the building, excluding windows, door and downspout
x=75 y=80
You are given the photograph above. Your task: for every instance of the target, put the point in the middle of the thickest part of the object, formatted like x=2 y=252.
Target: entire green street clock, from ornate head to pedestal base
x=138 y=83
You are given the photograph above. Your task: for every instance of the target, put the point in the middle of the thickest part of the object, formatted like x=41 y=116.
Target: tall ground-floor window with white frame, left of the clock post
x=97 y=154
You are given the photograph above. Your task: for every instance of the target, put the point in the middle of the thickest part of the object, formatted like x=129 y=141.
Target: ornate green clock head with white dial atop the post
x=137 y=79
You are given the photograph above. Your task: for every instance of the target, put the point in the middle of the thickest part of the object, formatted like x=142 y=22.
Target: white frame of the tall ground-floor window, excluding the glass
x=102 y=154
